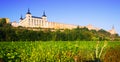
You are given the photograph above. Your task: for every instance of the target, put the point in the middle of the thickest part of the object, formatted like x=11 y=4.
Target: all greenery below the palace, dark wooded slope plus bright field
x=20 y=44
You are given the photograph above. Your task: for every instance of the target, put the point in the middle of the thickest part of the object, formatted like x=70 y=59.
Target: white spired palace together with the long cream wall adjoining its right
x=42 y=22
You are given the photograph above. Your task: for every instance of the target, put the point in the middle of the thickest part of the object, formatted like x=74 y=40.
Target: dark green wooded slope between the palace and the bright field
x=9 y=33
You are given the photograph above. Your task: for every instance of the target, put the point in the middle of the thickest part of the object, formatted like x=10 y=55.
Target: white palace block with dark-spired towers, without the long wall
x=33 y=21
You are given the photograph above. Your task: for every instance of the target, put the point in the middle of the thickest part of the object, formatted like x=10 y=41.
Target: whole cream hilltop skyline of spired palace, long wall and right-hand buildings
x=42 y=22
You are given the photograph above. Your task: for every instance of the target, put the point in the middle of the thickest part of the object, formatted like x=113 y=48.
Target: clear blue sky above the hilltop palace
x=100 y=13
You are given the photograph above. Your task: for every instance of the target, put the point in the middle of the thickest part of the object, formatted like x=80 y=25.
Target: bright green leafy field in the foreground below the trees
x=53 y=51
